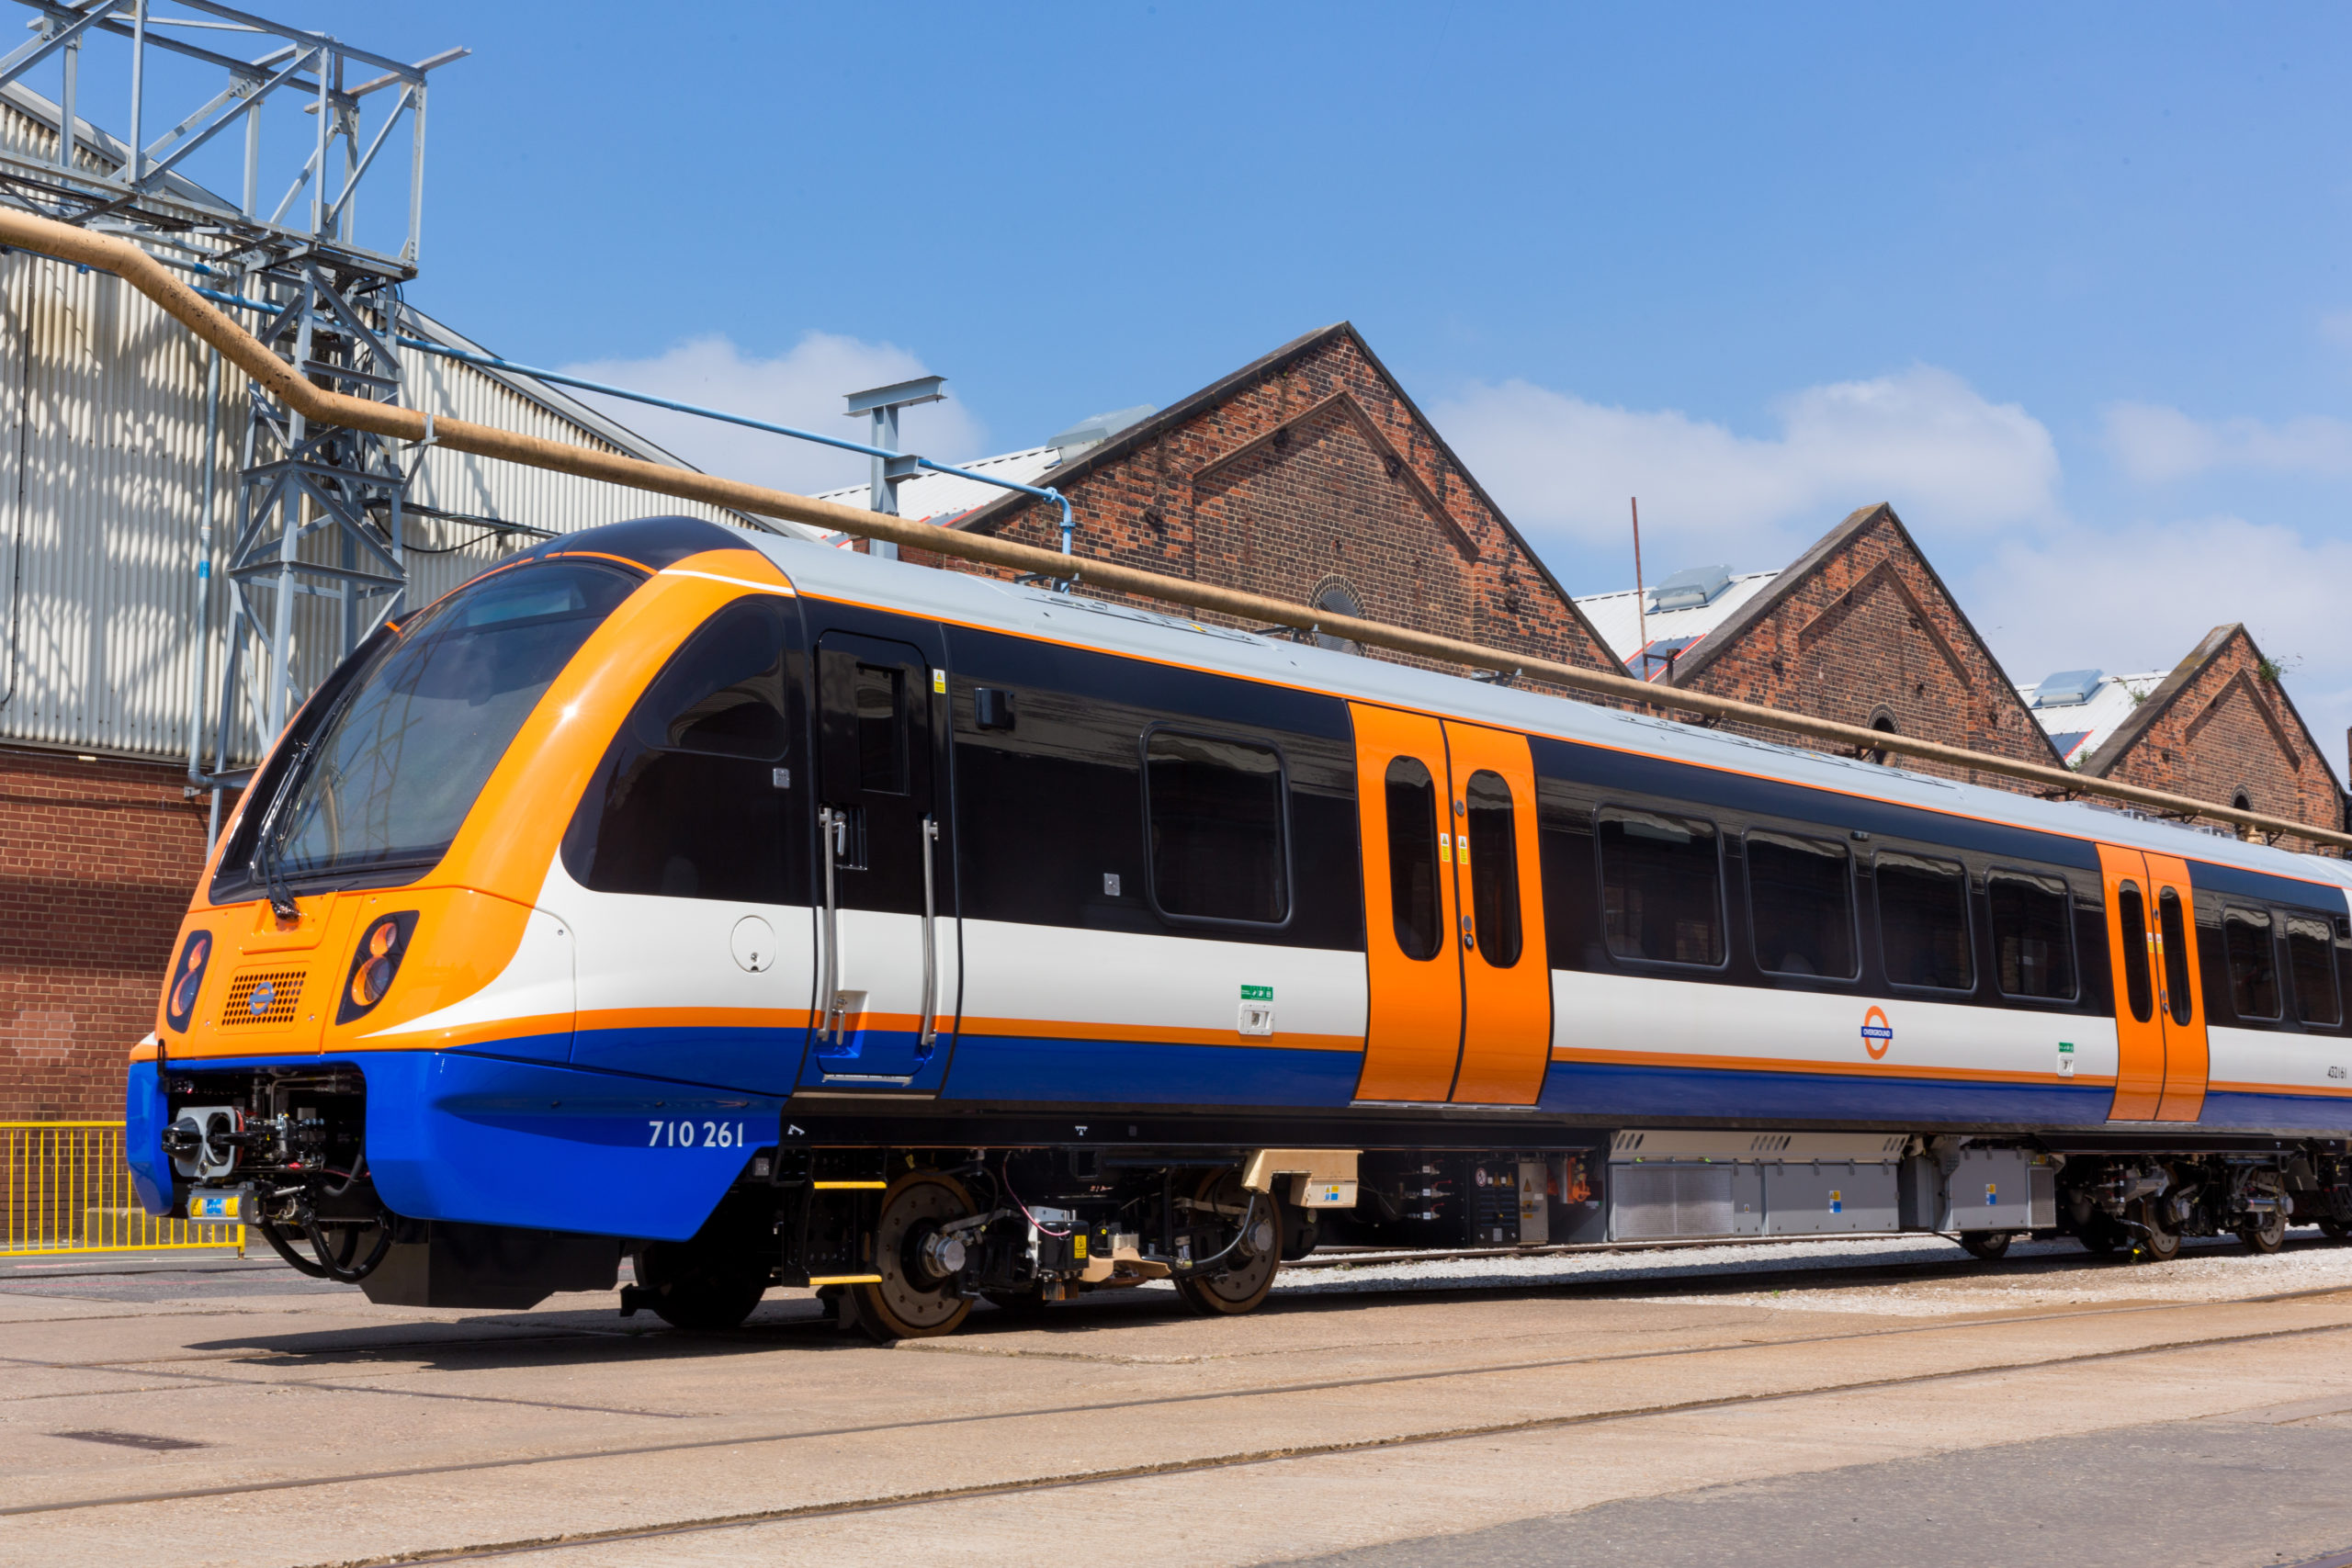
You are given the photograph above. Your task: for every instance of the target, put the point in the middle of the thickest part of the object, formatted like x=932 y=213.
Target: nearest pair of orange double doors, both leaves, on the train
x=1457 y=970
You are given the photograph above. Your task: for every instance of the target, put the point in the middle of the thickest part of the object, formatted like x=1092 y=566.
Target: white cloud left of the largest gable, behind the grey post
x=796 y=389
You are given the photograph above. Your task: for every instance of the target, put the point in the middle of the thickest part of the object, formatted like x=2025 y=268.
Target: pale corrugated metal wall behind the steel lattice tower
x=102 y=422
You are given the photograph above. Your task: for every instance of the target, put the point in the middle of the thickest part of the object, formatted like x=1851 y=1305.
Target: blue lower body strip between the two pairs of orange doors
x=1720 y=1094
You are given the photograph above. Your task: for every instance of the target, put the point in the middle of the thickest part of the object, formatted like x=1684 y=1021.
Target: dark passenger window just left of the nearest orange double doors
x=1217 y=829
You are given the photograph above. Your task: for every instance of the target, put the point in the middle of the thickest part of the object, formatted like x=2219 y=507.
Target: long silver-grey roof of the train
x=1123 y=629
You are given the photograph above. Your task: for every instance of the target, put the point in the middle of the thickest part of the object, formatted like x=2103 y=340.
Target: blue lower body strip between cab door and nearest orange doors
x=1140 y=1073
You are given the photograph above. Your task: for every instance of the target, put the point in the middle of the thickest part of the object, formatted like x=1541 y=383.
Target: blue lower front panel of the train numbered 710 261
x=455 y=1137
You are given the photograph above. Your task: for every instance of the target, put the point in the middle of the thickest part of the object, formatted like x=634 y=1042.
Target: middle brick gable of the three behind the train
x=1859 y=631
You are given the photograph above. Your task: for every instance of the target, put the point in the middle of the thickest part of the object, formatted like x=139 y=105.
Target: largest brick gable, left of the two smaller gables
x=1304 y=471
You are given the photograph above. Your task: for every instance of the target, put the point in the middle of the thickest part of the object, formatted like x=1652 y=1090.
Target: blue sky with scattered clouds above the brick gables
x=2064 y=283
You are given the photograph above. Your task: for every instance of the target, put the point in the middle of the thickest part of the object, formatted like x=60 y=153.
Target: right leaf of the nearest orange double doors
x=1499 y=878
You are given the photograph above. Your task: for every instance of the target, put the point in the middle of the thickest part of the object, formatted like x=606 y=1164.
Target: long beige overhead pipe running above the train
x=319 y=406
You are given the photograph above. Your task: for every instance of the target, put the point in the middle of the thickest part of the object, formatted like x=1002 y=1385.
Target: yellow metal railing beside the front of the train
x=65 y=1188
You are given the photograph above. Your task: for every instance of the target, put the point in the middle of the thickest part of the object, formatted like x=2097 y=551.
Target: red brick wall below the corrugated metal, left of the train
x=98 y=862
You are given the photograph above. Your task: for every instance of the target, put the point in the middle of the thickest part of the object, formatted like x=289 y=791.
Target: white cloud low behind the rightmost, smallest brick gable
x=2144 y=598
